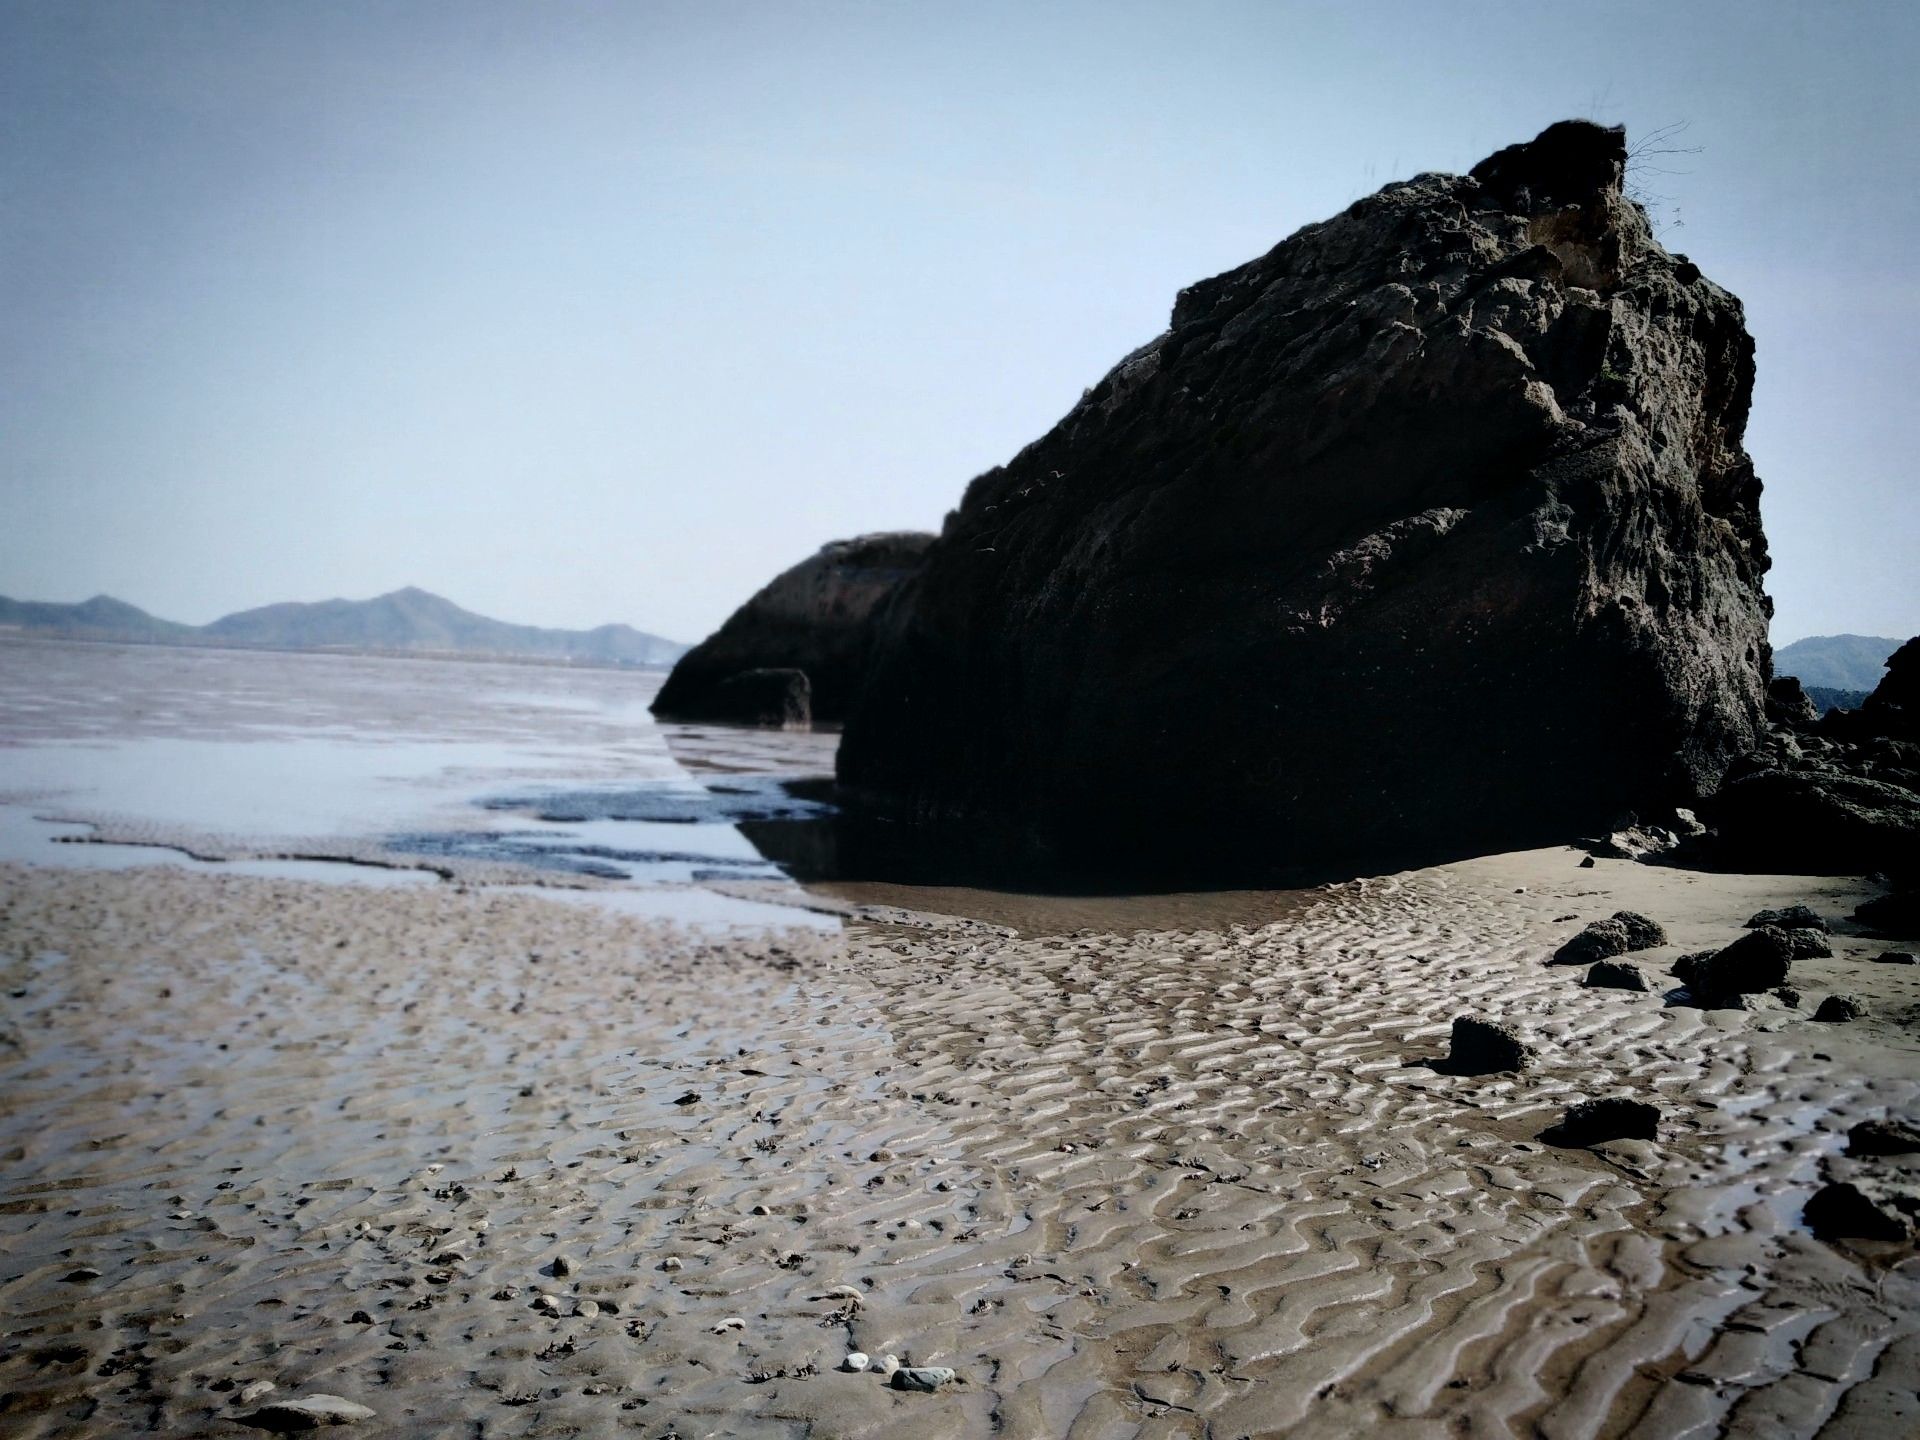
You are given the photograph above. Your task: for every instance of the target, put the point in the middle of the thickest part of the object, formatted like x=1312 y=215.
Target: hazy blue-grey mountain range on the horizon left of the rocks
x=406 y=621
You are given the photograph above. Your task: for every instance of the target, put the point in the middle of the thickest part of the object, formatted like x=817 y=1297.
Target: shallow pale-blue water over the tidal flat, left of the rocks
x=375 y=769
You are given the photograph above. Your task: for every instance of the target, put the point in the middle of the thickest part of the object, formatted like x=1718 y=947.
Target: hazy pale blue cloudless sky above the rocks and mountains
x=610 y=312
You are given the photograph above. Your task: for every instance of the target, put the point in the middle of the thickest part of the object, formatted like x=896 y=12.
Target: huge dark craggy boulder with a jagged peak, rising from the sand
x=1429 y=531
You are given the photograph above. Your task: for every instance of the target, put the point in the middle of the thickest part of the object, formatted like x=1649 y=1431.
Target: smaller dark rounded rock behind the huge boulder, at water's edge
x=813 y=619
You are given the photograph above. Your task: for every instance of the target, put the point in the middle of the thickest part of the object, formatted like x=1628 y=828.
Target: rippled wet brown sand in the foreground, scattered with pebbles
x=1151 y=1184
